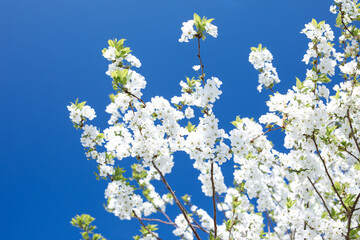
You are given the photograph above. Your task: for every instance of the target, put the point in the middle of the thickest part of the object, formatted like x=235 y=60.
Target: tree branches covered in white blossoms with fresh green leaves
x=310 y=191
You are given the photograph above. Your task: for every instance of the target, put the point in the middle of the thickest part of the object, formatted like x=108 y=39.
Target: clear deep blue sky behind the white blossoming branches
x=51 y=55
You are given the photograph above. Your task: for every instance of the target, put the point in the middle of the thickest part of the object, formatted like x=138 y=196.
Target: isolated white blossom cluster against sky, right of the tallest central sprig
x=261 y=59
